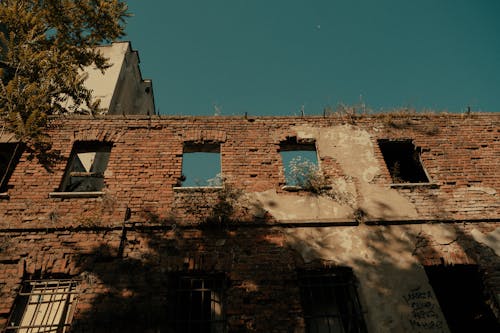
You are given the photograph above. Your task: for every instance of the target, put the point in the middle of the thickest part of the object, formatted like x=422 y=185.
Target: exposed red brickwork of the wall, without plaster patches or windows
x=124 y=262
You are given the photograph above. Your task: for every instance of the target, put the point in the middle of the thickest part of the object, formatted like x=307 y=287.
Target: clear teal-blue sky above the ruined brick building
x=273 y=57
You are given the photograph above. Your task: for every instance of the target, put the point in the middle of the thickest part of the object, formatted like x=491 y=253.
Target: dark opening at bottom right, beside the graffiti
x=462 y=298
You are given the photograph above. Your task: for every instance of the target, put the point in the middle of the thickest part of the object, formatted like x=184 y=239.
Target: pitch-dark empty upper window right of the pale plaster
x=403 y=161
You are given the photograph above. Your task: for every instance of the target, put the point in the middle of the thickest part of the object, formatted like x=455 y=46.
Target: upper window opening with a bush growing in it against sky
x=300 y=162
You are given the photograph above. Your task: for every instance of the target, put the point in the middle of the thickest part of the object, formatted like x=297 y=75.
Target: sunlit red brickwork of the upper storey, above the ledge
x=459 y=153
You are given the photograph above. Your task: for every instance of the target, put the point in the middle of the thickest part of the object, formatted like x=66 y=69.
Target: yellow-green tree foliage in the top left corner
x=44 y=46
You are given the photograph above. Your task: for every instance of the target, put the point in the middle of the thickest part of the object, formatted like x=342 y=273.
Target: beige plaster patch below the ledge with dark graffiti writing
x=381 y=258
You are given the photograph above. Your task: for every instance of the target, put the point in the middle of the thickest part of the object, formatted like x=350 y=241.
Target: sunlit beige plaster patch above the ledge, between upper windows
x=352 y=148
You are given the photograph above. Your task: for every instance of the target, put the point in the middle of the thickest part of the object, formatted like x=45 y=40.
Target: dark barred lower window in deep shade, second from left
x=197 y=304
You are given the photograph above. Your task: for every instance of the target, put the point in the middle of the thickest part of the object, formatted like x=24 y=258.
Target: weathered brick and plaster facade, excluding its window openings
x=124 y=244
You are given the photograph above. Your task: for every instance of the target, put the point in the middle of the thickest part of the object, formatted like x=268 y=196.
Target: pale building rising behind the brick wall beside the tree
x=121 y=89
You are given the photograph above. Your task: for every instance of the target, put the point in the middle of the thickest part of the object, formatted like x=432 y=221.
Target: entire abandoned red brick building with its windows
x=391 y=226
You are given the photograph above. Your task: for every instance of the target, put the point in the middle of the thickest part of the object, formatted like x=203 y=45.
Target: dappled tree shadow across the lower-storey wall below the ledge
x=126 y=287
